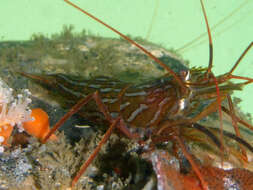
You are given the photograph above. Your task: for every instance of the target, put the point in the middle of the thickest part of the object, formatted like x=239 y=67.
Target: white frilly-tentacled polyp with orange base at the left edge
x=13 y=112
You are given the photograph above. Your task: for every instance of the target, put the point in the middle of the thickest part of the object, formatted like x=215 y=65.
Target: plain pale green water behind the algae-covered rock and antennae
x=176 y=23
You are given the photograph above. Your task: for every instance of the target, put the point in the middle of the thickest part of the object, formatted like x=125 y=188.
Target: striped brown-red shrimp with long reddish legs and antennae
x=167 y=109
